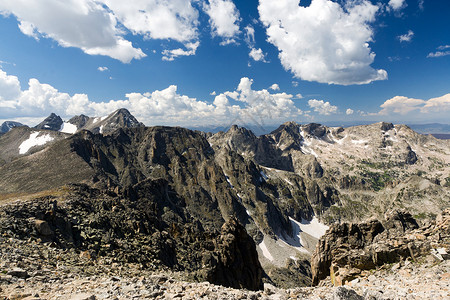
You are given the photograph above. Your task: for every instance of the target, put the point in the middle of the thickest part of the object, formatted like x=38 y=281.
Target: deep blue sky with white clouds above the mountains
x=213 y=62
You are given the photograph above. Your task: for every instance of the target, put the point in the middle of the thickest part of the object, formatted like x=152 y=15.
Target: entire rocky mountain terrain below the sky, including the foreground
x=107 y=208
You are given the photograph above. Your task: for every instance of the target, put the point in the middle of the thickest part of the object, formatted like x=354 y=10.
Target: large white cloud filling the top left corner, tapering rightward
x=84 y=24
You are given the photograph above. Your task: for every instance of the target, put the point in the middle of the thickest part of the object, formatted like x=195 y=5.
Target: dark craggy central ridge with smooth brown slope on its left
x=178 y=176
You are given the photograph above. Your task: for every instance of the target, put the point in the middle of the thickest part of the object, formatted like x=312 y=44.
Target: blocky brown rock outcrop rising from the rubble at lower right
x=348 y=249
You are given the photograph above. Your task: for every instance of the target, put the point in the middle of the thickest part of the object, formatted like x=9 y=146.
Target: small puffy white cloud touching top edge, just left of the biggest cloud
x=224 y=19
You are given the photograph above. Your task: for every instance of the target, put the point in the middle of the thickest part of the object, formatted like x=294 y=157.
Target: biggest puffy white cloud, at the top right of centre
x=324 y=42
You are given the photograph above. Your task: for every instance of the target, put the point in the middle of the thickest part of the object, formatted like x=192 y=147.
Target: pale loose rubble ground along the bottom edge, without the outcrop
x=31 y=270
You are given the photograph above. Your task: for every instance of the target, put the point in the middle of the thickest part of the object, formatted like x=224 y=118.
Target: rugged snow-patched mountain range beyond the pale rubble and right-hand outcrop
x=285 y=187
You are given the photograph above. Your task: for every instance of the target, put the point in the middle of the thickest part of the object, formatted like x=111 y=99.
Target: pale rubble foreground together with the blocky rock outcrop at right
x=35 y=269
